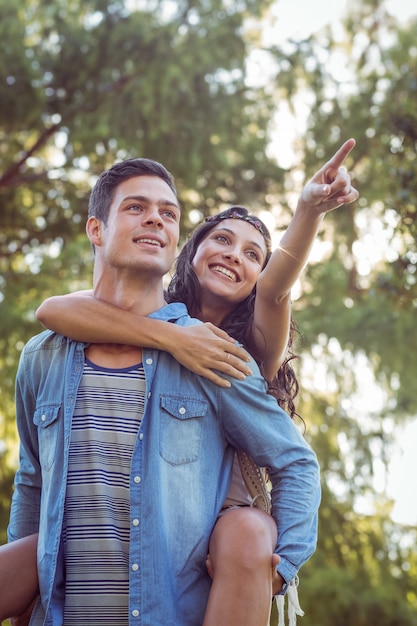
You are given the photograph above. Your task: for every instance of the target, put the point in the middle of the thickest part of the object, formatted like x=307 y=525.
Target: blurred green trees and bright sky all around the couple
x=243 y=100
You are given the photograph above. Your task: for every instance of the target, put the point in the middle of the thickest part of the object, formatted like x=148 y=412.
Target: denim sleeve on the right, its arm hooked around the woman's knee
x=254 y=423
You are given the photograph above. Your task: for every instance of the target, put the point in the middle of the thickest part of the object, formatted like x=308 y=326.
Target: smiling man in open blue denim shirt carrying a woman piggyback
x=126 y=456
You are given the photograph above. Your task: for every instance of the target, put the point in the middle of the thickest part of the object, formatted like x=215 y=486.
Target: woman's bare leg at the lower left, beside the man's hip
x=18 y=576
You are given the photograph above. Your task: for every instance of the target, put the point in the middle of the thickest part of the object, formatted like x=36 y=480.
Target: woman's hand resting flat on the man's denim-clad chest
x=203 y=348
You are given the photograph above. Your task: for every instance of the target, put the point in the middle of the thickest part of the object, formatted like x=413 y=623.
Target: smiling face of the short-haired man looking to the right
x=142 y=230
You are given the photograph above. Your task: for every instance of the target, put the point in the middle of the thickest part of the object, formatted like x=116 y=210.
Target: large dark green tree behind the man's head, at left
x=87 y=83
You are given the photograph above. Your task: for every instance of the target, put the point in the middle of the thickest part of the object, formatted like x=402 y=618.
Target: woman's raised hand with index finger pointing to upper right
x=331 y=186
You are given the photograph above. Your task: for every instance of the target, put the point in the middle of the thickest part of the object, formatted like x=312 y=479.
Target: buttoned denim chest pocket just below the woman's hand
x=181 y=429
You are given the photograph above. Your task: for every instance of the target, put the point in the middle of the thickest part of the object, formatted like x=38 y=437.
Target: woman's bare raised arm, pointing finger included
x=329 y=188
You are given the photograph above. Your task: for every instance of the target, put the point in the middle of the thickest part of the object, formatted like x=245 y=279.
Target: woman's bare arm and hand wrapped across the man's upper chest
x=200 y=348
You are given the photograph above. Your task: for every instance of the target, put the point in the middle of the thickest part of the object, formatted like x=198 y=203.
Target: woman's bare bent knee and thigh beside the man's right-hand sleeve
x=241 y=564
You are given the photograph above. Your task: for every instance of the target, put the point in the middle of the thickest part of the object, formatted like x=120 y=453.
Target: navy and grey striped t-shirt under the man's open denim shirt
x=106 y=421
